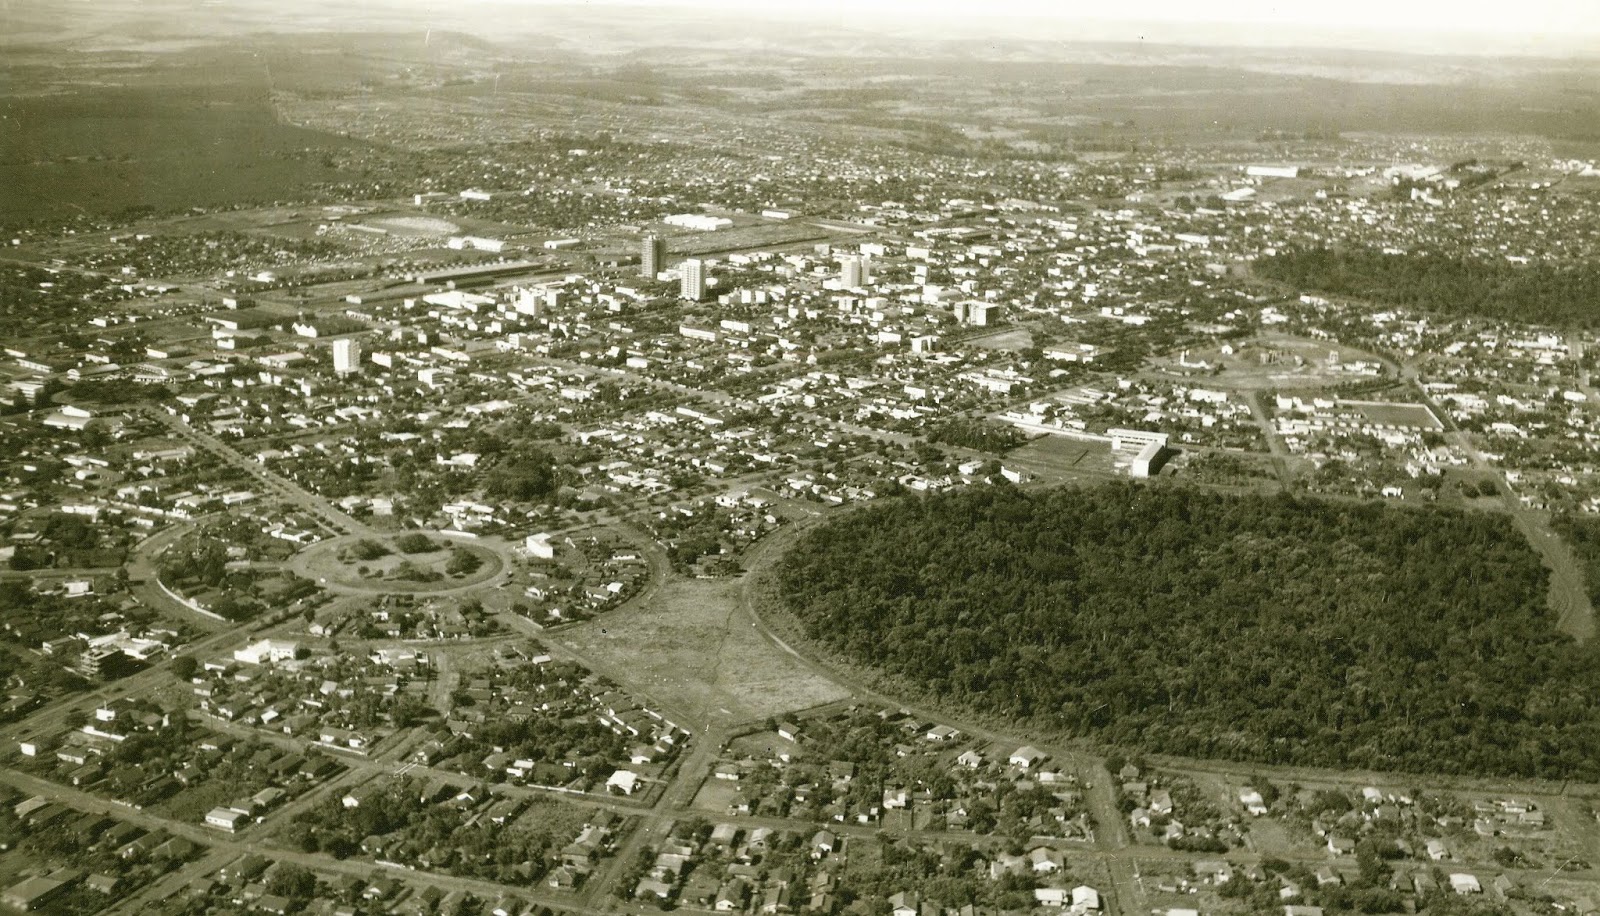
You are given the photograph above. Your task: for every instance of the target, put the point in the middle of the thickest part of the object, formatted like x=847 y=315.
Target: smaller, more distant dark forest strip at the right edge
x=1441 y=284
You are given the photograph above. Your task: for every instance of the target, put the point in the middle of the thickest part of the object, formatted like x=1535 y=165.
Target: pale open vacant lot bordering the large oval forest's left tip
x=697 y=651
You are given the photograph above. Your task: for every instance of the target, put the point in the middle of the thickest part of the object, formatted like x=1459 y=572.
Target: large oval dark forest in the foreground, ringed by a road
x=1257 y=629
